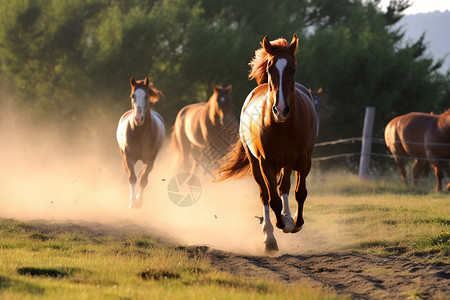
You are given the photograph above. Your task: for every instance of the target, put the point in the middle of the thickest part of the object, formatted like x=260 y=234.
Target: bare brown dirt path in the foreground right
x=362 y=276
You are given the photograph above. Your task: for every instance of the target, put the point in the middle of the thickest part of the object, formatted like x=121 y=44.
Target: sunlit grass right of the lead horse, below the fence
x=380 y=217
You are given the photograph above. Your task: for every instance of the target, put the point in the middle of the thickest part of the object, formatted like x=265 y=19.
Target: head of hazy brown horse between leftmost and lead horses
x=220 y=103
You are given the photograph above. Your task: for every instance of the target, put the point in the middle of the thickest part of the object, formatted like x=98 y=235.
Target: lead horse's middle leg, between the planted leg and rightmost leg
x=270 y=178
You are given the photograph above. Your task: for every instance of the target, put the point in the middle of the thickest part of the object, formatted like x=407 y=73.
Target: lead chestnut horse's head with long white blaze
x=280 y=68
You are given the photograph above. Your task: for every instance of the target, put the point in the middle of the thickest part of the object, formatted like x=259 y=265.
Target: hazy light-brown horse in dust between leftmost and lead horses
x=204 y=131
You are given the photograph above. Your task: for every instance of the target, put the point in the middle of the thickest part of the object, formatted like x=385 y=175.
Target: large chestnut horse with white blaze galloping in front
x=277 y=134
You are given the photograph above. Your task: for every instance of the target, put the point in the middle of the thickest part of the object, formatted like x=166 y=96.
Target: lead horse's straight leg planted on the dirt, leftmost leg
x=270 y=243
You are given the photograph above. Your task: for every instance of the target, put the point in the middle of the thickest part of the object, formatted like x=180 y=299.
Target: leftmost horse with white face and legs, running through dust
x=140 y=135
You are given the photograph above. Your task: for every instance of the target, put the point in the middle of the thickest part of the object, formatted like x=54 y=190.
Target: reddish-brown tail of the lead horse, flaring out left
x=235 y=163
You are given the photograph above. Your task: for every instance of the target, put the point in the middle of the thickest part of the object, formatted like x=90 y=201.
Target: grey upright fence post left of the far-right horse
x=366 y=147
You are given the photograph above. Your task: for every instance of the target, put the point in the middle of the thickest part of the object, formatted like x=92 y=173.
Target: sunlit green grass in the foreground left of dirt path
x=36 y=263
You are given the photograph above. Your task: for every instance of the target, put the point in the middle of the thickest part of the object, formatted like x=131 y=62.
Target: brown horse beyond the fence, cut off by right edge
x=422 y=136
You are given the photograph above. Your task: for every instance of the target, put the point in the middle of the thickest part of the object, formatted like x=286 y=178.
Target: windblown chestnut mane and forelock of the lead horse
x=259 y=62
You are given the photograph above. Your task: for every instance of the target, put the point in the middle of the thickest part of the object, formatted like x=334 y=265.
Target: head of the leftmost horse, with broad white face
x=142 y=94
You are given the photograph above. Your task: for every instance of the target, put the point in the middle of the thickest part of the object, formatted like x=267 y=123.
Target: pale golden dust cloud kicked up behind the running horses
x=55 y=175
